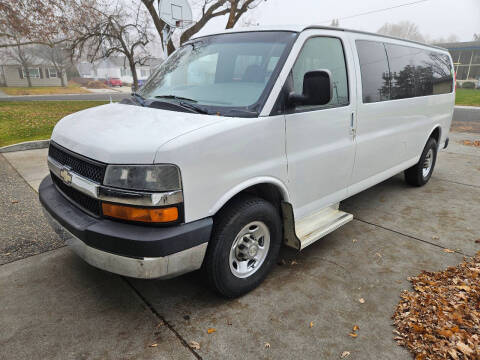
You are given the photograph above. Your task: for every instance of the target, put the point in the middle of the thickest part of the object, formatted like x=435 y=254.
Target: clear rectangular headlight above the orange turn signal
x=143 y=177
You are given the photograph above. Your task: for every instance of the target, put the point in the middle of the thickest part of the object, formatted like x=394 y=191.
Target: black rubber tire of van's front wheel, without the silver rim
x=227 y=224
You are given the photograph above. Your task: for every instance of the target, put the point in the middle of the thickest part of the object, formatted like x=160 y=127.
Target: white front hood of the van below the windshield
x=125 y=134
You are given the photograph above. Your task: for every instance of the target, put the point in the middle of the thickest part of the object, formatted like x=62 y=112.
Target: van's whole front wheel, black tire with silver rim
x=244 y=246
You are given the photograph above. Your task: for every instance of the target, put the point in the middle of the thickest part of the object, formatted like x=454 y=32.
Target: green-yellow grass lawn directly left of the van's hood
x=34 y=120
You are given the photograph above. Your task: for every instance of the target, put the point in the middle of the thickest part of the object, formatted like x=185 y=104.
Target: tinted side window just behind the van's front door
x=374 y=70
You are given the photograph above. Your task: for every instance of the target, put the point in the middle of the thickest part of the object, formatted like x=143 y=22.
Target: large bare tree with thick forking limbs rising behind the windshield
x=208 y=9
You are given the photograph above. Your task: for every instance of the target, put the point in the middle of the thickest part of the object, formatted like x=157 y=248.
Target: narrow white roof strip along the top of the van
x=300 y=28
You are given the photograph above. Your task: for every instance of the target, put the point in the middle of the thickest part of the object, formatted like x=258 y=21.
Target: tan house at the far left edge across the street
x=41 y=74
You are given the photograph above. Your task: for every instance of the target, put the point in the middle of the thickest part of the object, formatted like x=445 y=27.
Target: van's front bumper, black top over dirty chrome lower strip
x=127 y=249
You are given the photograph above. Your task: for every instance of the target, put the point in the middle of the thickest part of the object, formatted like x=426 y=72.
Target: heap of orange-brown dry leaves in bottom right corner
x=440 y=319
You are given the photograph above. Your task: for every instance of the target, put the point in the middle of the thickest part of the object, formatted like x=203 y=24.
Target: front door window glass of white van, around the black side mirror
x=327 y=54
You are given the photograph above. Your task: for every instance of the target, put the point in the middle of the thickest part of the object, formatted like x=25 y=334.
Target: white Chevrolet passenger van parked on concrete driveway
x=242 y=141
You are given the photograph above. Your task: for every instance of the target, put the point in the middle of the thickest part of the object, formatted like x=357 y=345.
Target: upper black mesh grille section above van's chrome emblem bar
x=88 y=168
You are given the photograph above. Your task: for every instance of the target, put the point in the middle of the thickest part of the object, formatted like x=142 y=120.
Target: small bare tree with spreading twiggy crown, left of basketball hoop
x=118 y=29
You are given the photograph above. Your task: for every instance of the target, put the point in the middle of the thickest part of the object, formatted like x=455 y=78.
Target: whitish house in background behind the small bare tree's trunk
x=116 y=67
